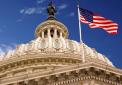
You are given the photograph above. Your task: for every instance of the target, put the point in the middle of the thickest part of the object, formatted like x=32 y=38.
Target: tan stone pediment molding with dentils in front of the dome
x=72 y=74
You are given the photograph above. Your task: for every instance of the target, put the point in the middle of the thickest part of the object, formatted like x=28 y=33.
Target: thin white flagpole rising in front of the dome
x=83 y=57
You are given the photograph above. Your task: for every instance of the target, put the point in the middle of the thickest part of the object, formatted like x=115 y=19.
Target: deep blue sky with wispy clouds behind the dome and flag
x=19 y=18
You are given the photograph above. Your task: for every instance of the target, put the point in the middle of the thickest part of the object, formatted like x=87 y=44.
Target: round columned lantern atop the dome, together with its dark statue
x=51 y=27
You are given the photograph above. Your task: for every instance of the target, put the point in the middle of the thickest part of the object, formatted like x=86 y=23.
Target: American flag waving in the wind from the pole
x=97 y=21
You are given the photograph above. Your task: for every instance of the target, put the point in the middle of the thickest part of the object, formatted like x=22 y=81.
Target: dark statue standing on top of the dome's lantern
x=51 y=10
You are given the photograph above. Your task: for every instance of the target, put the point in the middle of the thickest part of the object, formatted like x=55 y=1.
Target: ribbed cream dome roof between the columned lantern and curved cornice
x=57 y=48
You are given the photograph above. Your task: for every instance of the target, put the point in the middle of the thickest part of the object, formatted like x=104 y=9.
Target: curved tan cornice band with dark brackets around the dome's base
x=37 y=61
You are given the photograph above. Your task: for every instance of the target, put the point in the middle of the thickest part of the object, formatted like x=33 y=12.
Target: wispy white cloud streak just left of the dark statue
x=33 y=10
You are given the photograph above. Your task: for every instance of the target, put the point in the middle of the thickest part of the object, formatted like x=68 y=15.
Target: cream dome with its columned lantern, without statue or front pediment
x=51 y=48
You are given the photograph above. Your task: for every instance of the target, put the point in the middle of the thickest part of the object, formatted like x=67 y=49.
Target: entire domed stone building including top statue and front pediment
x=53 y=59
